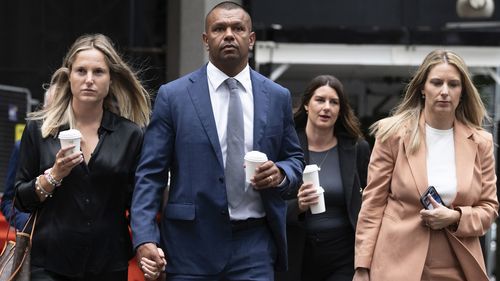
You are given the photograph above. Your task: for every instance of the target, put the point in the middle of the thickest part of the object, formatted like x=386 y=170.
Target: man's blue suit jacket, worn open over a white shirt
x=182 y=138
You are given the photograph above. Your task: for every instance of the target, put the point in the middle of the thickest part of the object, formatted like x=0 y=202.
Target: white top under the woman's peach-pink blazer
x=441 y=169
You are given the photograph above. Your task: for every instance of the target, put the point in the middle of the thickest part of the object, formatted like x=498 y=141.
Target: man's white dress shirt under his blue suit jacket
x=251 y=207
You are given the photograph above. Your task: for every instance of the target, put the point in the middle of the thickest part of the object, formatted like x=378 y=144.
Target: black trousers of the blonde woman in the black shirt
x=40 y=274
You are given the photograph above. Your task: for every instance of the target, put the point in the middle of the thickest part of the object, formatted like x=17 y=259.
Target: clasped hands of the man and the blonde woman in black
x=151 y=260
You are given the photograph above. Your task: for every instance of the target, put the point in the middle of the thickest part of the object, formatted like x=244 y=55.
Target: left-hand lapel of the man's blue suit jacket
x=200 y=96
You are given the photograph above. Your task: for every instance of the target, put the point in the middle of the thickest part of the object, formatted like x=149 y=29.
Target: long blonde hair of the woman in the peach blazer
x=470 y=111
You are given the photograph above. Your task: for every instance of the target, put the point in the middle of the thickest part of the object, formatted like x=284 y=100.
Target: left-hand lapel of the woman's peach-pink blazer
x=417 y=161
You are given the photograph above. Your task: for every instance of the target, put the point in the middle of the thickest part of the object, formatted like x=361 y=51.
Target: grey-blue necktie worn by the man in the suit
x=235 y=138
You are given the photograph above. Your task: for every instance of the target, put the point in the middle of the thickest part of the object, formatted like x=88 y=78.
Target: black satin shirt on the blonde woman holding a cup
x=83 y=228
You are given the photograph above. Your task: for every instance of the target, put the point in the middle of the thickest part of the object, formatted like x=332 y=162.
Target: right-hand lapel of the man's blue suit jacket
x=261 y=108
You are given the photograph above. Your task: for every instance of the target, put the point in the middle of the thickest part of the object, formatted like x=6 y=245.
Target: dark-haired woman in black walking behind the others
x=321 y=246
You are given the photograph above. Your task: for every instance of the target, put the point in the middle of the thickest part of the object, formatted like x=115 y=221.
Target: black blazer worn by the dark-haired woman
x=354 y=157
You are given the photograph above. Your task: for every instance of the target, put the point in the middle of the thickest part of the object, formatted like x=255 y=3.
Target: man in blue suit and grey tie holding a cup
x=205 y=235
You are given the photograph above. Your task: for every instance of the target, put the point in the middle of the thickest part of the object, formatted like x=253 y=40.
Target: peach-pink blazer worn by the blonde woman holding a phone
x=390 y=238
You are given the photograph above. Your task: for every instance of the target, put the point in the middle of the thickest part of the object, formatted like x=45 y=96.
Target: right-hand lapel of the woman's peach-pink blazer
x=465 y=154
